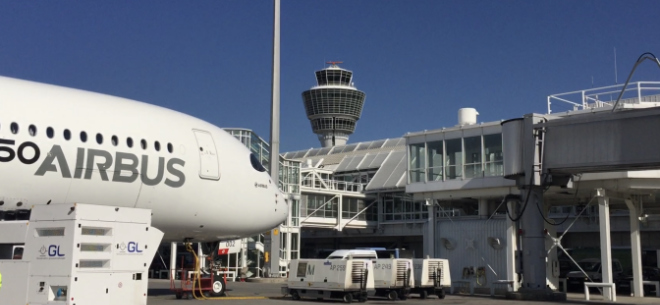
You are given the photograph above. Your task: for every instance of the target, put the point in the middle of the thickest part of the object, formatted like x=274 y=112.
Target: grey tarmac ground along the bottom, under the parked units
x=270 y=293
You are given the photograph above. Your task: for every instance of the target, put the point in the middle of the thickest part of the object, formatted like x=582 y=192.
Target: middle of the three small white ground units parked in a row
x=393 y=278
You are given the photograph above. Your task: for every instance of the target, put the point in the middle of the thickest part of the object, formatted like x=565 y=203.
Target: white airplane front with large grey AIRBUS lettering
x=64 y=145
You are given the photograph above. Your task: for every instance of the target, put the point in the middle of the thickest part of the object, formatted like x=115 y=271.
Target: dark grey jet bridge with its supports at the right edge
x=547 y=150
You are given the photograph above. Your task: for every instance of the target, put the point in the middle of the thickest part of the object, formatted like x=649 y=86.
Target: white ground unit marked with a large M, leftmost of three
x=344 y=279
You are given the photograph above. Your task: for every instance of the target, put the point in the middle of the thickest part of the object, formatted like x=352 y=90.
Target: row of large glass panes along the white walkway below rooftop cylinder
x=461 y=158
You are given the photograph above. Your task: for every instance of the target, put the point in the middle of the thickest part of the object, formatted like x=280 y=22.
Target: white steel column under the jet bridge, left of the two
x=605 y=241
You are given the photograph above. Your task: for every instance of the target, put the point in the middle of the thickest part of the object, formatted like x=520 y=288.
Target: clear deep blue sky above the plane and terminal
x=417 y=61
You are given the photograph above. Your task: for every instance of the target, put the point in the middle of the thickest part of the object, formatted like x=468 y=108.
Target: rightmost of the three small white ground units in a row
x=431 y=277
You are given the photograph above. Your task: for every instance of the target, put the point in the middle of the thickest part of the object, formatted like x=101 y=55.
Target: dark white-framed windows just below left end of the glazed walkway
x=401 y=207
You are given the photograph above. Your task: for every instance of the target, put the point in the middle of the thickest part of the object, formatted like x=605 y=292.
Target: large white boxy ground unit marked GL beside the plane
x=78 y=254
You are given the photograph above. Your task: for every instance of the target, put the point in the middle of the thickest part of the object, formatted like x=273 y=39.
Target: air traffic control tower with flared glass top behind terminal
x=334 y=105
